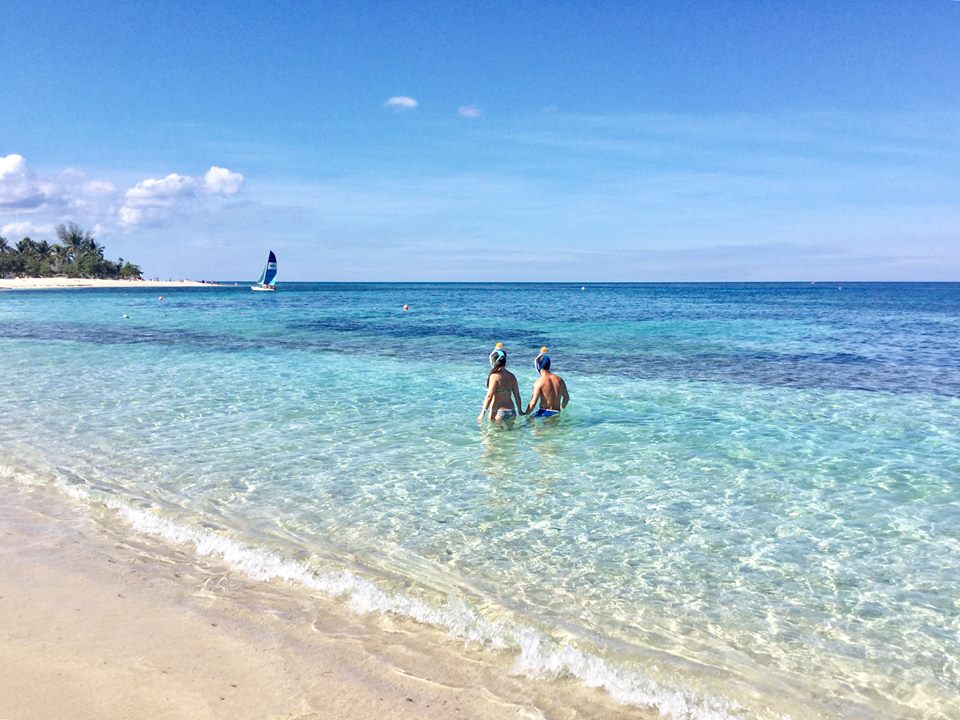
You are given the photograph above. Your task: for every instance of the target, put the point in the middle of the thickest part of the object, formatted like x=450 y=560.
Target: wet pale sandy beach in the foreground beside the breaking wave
x=98 y=624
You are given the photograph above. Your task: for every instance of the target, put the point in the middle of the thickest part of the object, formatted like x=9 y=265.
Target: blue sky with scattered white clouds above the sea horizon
x=642 y=140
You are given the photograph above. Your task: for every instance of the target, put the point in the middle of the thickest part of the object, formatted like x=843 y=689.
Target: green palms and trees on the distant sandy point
x=77 y=254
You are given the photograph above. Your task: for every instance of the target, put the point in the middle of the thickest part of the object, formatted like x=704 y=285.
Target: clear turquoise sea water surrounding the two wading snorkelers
x=751 y=509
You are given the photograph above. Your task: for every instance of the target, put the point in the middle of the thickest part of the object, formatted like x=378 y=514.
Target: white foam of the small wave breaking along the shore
x=538 y=655
